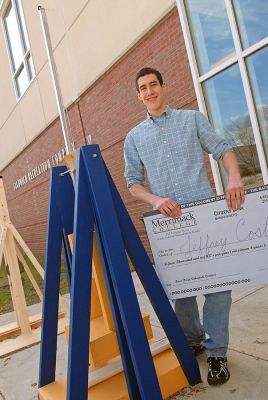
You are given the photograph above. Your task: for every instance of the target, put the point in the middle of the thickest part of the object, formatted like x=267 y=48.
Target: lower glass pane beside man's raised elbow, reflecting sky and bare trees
x=229 y=115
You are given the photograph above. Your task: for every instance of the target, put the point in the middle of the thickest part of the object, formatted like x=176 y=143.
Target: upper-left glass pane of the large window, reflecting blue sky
x=210 y=31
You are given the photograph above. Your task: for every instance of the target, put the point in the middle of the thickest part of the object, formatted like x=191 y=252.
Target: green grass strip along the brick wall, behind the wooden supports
x=30 y=294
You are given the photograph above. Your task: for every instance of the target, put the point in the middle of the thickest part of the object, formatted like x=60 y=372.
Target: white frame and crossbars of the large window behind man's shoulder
x=240 y=59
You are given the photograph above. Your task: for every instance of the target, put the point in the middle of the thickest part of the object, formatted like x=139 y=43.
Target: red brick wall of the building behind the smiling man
x=107 y=111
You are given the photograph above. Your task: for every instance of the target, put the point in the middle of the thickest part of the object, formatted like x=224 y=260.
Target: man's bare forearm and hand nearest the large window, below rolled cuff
x=235 y=194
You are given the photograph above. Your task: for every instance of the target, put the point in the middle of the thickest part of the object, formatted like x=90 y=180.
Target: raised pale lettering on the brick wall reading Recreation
x=53 y=161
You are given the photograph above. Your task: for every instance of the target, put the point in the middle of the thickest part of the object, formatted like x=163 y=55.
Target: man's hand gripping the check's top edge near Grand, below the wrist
x=235 y=193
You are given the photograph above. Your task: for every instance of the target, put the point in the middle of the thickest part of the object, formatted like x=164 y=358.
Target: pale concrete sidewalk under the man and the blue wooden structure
x=247 y=356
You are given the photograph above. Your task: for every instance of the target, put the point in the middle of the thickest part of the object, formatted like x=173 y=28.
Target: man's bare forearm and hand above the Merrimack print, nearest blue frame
x=165 y=205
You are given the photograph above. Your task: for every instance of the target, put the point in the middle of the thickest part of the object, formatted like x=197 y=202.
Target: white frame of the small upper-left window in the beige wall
x=24 y=63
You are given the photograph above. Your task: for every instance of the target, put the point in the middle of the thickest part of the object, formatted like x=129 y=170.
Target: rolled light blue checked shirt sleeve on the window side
x=211 y=141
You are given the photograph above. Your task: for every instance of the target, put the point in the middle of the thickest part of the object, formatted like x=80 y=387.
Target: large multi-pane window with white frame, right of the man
x=227 y=45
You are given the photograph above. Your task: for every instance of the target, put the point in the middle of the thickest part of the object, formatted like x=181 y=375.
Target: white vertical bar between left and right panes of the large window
x=247 y=89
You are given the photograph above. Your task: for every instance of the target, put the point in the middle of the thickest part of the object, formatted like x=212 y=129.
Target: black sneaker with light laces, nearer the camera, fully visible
x=217 y=370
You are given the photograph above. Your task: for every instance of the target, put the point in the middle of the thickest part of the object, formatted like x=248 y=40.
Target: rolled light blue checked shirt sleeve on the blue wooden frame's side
x=134 y=168
